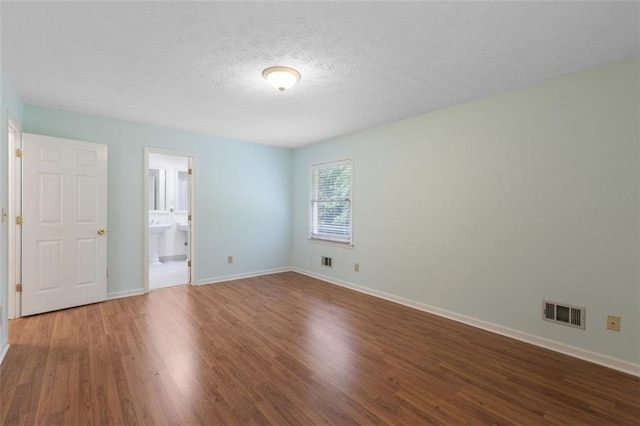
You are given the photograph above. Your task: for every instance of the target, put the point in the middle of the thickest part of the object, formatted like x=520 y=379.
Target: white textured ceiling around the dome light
x=197 y=66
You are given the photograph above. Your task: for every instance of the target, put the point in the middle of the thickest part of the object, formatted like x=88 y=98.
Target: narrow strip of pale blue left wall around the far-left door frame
x=11 y=105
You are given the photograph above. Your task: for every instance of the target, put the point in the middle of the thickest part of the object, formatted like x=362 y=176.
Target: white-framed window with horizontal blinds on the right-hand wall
x=331 y=201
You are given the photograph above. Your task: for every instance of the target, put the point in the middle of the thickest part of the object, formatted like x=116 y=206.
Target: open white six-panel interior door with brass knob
x=64 y=246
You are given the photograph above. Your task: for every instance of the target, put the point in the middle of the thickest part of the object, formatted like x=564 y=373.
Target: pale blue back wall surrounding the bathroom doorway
x=243 y=195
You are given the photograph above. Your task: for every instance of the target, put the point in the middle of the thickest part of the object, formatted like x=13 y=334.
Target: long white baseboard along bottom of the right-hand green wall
x=596 y=358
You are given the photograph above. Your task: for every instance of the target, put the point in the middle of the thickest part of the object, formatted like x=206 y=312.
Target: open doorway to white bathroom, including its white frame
x=169 y=205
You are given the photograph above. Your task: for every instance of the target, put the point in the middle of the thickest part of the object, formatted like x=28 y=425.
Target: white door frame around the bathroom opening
x=191 y=254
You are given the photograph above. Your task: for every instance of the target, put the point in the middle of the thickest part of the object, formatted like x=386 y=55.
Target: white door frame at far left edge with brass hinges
x=14 y=207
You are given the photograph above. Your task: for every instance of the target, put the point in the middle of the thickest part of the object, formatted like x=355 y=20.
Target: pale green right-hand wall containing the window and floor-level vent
x=486 y=208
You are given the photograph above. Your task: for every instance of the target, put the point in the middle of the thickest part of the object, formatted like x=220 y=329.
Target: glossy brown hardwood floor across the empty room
x=289 y=349
